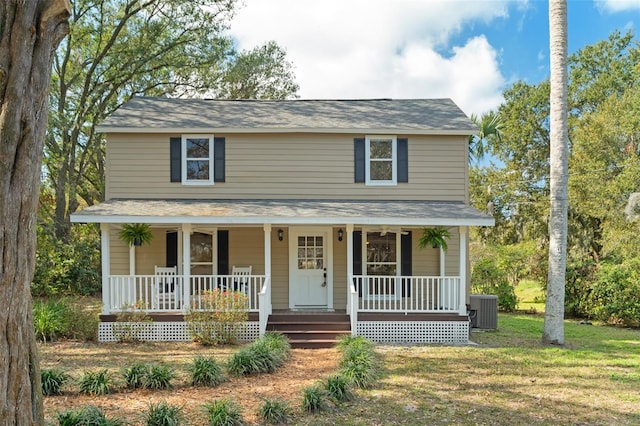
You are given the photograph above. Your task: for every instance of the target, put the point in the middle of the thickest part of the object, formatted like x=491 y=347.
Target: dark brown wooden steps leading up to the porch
x=309 y=331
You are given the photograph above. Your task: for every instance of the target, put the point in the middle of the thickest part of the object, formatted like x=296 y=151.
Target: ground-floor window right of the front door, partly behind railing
x=382 y=254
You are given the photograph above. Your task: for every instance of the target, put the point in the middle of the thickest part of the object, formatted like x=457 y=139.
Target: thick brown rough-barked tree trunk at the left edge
x=30 y=31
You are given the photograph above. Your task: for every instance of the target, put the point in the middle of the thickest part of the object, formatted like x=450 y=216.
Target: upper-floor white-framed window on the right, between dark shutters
x=381 y=158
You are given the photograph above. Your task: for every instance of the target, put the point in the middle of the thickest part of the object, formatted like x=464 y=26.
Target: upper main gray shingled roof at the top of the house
x=390 y=115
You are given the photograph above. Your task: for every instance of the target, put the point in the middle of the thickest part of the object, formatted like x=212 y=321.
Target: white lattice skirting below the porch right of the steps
x=449 y=332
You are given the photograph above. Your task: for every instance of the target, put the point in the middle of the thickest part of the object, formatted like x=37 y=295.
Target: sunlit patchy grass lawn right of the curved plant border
x=510 y=378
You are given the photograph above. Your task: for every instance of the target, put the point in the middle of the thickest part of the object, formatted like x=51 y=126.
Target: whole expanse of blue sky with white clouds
x=469 y=51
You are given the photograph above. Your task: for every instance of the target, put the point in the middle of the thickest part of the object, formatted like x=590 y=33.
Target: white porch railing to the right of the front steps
x=405 y=294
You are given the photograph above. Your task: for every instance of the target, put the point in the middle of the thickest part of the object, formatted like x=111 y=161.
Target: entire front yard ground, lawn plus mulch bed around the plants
x=508 y=378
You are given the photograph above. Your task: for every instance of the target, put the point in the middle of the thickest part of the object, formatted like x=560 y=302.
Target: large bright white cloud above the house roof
x=372 y=49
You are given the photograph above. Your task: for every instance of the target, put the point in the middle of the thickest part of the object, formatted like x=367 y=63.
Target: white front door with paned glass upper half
x=310 y=275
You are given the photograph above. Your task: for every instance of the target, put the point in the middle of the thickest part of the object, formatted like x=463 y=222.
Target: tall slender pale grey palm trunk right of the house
x=559 y=140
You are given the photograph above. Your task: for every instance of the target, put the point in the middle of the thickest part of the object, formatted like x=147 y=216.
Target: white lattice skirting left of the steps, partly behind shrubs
x=170 y=331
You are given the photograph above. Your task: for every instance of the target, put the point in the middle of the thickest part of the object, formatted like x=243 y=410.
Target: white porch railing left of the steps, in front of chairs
x=152 y=293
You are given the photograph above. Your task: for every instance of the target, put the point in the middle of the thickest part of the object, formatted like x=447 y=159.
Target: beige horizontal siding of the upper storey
x=286 y=166
